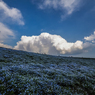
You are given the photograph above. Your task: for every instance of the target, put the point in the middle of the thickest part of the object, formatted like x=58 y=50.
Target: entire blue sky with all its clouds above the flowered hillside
x=55 y=27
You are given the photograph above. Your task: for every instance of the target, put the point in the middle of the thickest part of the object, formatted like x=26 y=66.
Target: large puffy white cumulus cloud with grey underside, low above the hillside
x=51 y=44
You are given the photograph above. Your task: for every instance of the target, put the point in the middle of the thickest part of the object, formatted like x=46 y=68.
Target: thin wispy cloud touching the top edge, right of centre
x=68 y=6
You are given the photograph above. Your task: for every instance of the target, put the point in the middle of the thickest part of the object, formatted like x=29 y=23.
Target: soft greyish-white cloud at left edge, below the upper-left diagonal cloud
x=5 y=32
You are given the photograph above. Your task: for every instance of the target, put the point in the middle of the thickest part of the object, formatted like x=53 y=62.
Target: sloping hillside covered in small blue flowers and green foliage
x=25 y=73
